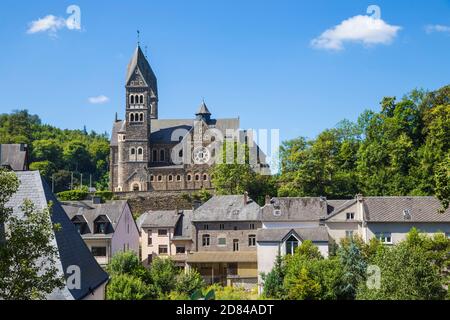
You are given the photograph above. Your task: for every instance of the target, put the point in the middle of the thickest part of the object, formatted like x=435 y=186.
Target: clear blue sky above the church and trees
x=273 y=63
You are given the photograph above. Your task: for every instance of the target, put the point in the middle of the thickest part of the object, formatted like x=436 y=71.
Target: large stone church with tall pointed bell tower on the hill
x=152 y=154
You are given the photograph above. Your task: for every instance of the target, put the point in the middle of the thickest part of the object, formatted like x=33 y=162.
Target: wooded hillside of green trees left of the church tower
x=57 y=152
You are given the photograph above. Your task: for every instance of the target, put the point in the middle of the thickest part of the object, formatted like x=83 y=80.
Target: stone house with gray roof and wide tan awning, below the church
x=225 y=230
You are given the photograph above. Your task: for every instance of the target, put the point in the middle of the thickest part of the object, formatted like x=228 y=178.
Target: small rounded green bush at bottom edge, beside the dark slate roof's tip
x=128 y=287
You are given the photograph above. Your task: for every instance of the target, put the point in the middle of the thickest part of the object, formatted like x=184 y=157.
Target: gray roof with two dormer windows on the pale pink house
x=111 y=209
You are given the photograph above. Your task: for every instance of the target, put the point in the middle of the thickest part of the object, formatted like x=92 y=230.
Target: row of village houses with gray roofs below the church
x=230 y=240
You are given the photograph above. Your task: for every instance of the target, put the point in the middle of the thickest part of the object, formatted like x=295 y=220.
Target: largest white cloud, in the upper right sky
x=360 y=29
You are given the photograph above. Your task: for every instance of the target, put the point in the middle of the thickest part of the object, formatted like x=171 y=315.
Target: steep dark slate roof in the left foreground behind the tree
x=72 y=251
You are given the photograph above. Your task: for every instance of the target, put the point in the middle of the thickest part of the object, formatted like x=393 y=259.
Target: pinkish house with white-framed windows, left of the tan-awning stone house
x=166 y=234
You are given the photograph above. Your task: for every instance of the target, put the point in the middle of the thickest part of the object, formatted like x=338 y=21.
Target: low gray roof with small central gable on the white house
x=317 y=234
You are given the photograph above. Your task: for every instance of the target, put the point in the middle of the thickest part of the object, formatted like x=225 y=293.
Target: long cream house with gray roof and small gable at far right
x=387 y=218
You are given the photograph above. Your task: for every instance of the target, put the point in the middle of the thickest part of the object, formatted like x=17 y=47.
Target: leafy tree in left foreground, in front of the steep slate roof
x=28 y=257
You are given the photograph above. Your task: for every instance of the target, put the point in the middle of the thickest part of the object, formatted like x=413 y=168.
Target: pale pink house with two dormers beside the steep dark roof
x=107 y=228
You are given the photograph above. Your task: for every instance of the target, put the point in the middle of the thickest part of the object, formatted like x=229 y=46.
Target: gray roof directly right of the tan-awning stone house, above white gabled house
x=295 y=209
